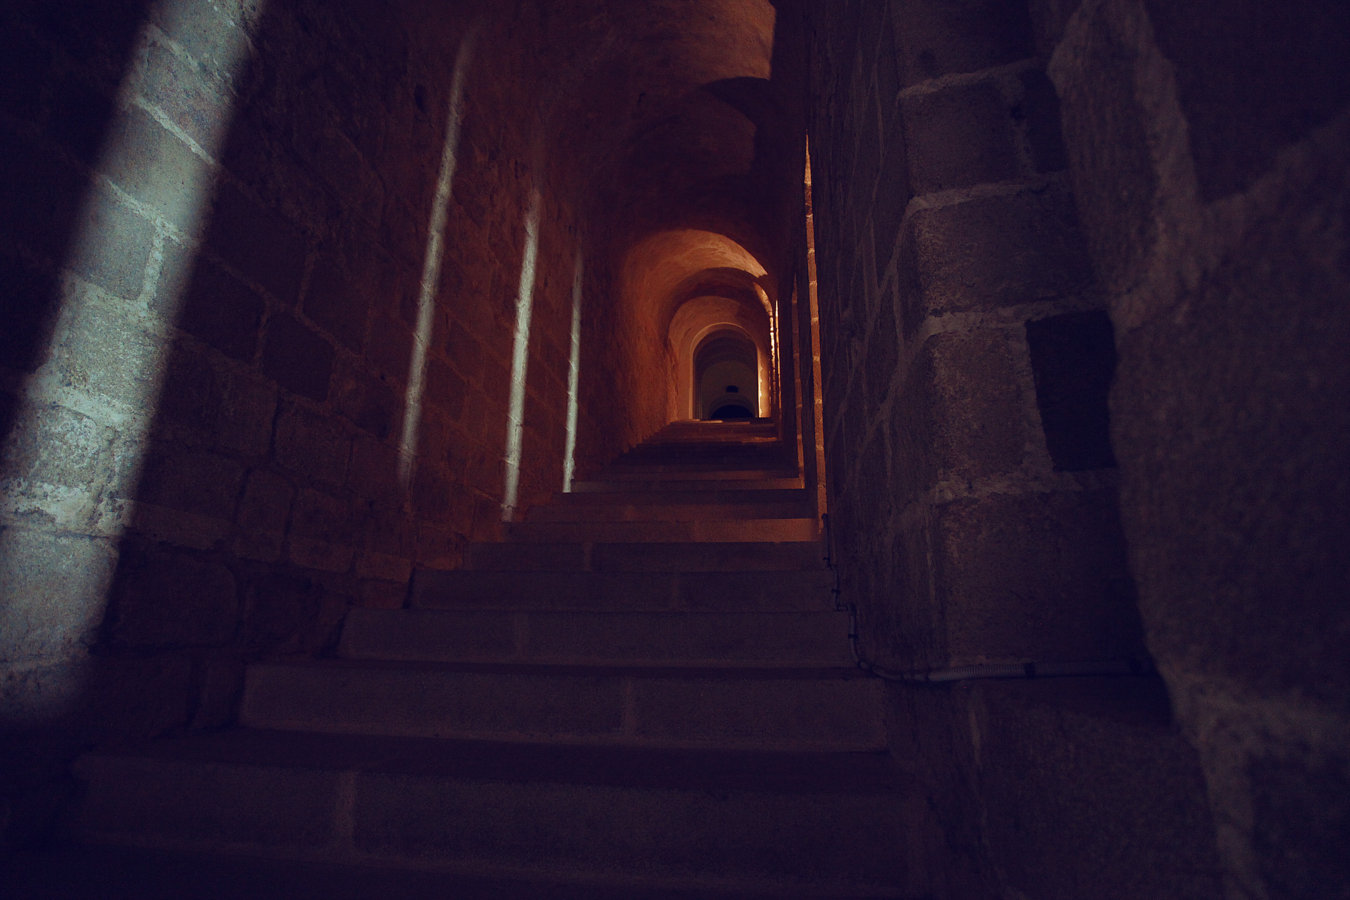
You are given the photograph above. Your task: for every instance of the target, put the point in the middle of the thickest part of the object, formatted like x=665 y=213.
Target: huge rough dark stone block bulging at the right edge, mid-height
x=1232 y=432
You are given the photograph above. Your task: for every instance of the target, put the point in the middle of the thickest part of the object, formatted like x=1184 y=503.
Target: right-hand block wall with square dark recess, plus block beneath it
x=967 y=356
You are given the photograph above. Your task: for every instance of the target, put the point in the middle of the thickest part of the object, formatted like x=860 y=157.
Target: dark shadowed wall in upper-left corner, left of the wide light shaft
x=60 y=68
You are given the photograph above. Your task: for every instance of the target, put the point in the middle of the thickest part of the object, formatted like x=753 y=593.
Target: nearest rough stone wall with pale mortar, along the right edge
x=1208 y=148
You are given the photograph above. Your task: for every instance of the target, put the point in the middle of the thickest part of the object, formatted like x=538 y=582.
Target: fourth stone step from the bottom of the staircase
x=745 y=592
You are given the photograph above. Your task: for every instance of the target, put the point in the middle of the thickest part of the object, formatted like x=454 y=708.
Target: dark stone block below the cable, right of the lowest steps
x=1090 y=791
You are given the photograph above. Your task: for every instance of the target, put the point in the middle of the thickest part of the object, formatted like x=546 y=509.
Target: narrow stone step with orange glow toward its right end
x=699 y=531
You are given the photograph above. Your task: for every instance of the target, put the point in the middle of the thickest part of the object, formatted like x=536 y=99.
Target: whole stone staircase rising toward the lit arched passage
x=642 y=693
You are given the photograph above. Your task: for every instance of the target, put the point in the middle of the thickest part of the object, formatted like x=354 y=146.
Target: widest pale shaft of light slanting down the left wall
x=60 y=543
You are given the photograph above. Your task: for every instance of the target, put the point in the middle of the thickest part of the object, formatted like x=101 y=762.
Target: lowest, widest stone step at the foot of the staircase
x=735 y=824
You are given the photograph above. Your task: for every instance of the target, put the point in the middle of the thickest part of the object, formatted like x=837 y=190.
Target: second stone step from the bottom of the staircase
x=718 y=708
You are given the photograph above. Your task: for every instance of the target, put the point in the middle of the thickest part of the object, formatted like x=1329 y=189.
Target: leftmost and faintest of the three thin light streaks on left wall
x=431 y=264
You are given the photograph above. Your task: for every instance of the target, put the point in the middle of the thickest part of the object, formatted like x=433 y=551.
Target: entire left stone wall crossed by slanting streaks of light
x=217 y=227
